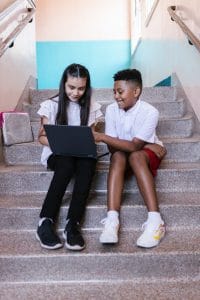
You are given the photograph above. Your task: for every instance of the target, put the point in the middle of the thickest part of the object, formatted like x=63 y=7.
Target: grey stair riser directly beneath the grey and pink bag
x=178 y=150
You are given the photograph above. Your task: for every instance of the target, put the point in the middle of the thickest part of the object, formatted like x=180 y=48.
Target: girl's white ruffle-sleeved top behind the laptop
x=49 y=109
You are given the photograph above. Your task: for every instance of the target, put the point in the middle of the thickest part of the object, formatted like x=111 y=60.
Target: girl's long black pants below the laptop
x=65 y=168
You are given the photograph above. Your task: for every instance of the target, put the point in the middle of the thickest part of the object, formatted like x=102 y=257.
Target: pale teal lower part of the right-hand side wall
x=158 y=58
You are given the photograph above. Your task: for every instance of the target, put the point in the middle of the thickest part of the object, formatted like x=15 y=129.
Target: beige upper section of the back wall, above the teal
x=82 y=20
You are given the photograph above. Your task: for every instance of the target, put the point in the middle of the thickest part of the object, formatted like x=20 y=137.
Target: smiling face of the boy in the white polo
x=126 y=94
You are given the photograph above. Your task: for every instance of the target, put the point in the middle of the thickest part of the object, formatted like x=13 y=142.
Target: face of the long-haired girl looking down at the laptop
x=75 y=87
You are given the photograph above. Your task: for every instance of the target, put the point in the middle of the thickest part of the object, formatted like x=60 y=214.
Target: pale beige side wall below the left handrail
x=17 y=65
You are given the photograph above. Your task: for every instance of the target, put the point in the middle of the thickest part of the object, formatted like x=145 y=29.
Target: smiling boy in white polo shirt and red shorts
x=130 y=135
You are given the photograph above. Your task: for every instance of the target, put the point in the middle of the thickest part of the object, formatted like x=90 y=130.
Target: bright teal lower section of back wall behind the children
x=102 y=58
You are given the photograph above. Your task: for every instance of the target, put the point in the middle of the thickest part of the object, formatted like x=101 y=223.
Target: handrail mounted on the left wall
x=9 y=40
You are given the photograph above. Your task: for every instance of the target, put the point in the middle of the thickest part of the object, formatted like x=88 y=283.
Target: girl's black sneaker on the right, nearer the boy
x=73 y=237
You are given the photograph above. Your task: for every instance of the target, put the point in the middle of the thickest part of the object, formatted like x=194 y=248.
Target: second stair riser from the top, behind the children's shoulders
x=168 y=109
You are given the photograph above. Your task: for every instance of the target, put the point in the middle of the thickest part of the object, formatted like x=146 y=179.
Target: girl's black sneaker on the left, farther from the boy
x=47 y=237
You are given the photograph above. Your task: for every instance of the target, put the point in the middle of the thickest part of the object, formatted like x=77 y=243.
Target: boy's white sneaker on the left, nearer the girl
x=110 y=232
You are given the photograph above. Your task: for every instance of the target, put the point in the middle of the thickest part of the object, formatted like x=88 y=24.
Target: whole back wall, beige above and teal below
x=95 y=33
